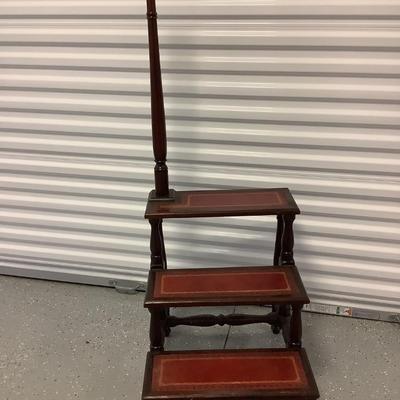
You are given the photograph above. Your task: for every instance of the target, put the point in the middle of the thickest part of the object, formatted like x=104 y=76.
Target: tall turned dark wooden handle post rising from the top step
x=157 y=109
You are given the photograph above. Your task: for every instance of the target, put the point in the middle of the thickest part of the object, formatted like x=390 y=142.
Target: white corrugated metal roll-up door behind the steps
x=258 y=94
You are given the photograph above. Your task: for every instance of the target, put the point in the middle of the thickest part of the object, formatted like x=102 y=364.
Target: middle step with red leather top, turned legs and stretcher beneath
x=278 y=286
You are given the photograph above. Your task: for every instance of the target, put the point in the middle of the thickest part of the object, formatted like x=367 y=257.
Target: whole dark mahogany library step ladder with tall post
x=220 y=374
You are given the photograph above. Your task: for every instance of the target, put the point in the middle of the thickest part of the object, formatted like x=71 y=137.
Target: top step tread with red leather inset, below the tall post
x=222 y=203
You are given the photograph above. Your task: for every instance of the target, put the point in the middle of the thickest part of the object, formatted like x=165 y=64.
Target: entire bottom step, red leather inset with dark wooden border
x=229 y=374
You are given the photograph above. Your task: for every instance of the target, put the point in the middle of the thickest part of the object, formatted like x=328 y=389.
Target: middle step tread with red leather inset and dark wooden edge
x=225 y=286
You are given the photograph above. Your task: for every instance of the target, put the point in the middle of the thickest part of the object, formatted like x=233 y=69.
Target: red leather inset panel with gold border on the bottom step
x=223 y=371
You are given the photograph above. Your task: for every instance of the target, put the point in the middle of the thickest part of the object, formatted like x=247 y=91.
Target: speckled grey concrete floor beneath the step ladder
x=67 y=341
